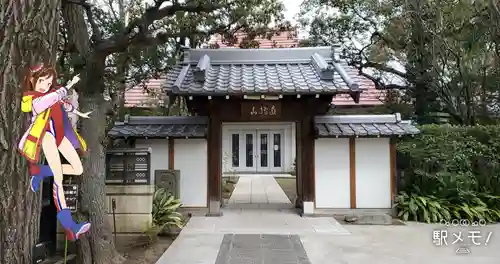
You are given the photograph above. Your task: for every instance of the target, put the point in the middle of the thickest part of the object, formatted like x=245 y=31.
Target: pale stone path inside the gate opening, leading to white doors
x=258 y=192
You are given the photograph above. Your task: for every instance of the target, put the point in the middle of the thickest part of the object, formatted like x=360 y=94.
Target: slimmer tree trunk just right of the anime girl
x=98 y=246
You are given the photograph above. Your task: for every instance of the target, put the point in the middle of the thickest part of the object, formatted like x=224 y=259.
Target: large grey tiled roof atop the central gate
x=260 y=71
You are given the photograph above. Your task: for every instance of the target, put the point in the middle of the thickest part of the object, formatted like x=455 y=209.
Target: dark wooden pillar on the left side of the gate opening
x=214 y=153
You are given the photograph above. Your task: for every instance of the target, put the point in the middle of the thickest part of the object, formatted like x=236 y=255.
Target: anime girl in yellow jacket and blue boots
x=51 y=131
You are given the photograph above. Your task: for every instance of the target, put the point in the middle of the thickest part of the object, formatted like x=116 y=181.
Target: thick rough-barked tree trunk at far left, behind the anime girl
x=28 y=36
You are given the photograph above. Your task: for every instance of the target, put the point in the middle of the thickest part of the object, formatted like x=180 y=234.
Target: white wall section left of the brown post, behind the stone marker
x=159 y=153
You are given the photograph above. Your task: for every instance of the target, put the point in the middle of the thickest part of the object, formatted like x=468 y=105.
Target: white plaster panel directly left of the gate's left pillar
x=190 y=157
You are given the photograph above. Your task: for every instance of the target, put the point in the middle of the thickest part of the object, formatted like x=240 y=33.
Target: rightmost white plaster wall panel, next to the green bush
x=373 y=181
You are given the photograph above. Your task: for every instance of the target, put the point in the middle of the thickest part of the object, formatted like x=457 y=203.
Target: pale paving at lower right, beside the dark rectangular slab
x=410 y=244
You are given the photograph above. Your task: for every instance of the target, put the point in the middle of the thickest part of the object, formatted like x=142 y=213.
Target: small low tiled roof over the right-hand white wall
x=363 y=126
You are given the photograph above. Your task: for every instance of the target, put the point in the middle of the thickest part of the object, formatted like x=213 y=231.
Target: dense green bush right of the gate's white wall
x=453 y=169
